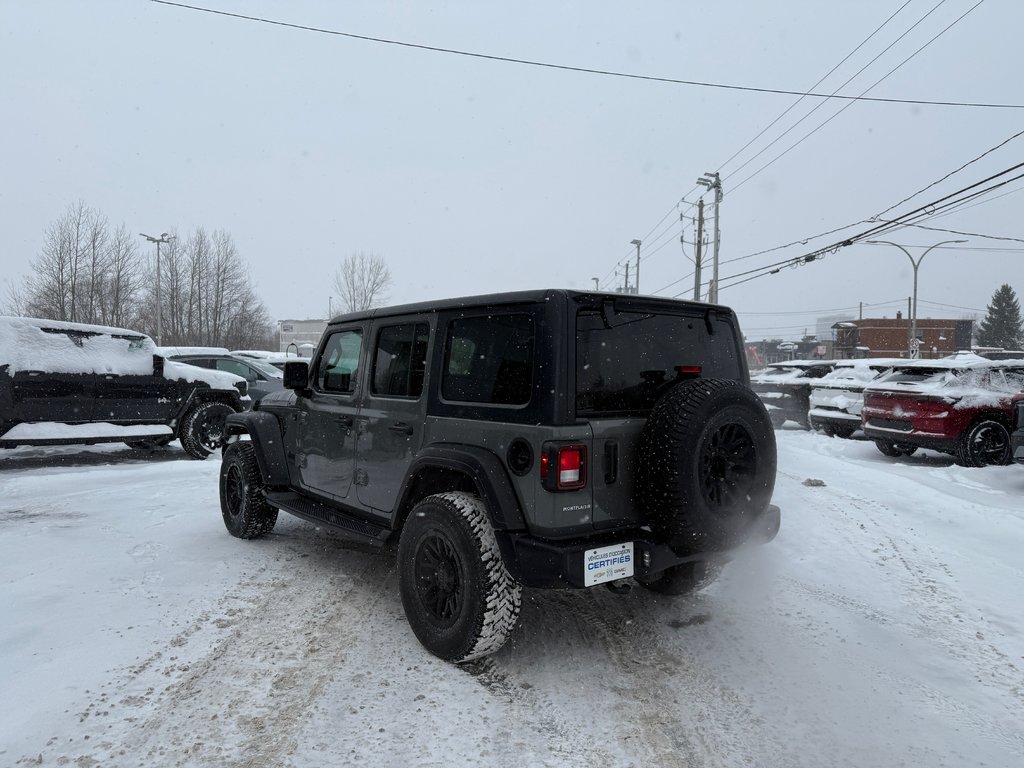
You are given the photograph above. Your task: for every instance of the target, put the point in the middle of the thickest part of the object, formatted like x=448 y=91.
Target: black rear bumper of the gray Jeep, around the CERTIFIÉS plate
x=548 y=564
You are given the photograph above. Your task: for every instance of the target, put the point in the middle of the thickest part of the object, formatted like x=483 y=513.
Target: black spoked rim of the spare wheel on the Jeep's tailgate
x=729 y=466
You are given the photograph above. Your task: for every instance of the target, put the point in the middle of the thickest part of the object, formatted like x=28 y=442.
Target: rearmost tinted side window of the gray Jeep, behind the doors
x=490 y=360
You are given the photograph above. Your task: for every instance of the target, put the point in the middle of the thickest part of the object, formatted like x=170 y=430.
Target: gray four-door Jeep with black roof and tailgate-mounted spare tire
x=545 y=439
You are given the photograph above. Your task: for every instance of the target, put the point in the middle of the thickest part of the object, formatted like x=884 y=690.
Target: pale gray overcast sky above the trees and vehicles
x=473 y=177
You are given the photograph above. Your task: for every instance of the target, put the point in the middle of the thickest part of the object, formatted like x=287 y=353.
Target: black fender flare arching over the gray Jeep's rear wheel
x=484 y=468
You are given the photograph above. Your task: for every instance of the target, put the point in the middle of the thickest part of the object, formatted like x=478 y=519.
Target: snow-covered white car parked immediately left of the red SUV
x=838 y=398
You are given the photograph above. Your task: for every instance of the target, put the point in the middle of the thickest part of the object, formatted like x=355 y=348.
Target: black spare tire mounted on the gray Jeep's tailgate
x=706 y=465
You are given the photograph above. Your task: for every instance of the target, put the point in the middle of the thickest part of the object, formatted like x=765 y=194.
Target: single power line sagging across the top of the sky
x=586 y=70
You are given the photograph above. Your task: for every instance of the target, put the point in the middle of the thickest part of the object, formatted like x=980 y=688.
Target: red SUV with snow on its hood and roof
x=960 y=406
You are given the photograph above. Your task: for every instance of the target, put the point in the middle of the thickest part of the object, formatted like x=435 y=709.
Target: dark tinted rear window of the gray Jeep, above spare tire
x=627 y=360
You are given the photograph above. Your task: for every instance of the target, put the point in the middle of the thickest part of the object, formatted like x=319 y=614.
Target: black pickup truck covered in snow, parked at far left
x=65 y=383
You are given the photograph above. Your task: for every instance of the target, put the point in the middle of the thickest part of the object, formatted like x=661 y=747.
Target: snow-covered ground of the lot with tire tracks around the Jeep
x=883 y=628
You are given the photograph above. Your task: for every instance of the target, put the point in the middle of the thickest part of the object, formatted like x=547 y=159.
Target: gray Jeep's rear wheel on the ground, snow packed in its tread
x=459 y=600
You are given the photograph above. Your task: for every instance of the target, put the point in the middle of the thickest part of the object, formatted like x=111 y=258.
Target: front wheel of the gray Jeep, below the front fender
x=243 y=497
